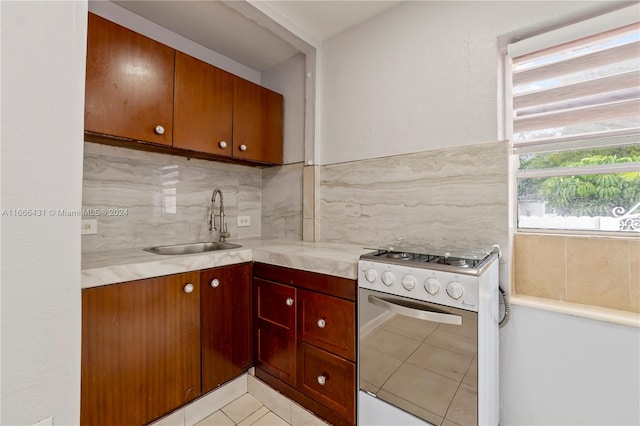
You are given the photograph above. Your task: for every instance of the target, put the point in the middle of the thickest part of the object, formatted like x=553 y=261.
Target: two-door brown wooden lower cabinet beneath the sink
x=153 y=345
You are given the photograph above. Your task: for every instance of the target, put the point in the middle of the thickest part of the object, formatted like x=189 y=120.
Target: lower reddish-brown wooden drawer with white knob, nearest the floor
x=328 y=379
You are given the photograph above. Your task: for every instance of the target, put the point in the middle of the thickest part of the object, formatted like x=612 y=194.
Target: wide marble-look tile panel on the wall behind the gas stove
x=448 y=196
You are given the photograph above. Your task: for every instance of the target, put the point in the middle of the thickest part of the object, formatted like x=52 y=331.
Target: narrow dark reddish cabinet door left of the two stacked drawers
x=275 y=321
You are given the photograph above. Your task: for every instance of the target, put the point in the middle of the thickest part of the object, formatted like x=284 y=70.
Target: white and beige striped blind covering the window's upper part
x=582 y=90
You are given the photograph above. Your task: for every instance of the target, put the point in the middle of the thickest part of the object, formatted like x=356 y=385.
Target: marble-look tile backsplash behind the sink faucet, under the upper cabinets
x=166 y=198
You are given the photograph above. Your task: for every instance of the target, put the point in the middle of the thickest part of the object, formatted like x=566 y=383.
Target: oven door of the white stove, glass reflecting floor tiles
x=418 y=357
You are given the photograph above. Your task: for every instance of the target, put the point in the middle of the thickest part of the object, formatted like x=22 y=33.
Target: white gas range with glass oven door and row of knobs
x=428 y=335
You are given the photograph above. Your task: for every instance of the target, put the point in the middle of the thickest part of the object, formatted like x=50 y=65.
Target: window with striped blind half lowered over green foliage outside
x=575 y=126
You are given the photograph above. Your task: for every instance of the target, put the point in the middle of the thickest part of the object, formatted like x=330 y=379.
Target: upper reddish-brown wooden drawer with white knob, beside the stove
x=327 y=322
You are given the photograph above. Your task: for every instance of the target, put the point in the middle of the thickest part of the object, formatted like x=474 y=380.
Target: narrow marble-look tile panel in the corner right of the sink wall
x=282 y=202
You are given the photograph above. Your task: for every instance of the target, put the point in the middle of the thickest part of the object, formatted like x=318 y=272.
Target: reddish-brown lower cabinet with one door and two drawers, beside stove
x=305 y=339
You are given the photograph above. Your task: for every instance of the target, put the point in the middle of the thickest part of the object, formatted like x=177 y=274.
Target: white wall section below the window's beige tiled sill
x=562 y=370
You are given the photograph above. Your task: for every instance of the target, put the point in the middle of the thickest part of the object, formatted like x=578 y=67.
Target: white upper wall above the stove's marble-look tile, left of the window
x=419 y=77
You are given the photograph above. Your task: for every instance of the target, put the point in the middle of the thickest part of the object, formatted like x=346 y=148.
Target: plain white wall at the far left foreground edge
x=43 y=61
